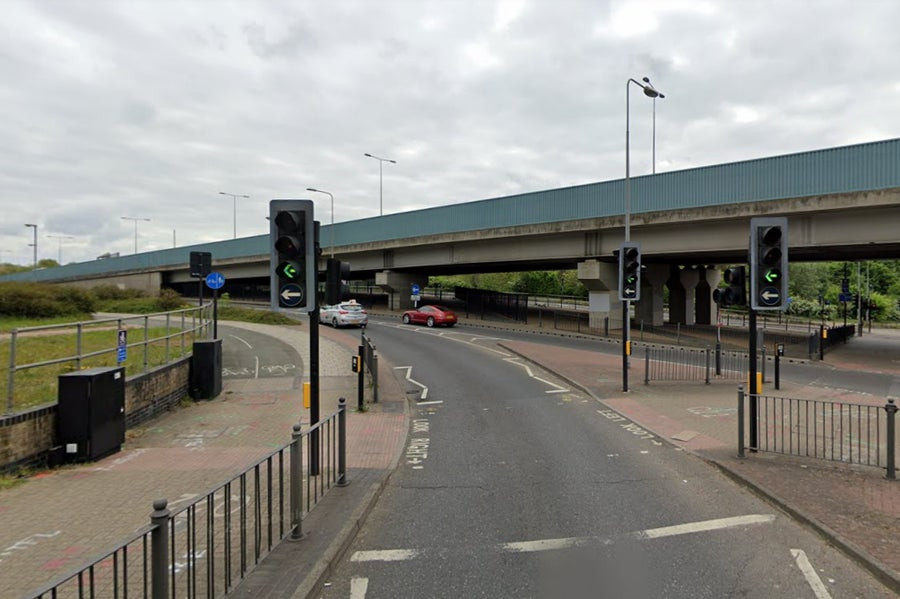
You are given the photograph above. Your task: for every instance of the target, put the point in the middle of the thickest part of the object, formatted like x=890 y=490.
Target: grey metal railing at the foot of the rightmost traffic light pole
x=826 y=430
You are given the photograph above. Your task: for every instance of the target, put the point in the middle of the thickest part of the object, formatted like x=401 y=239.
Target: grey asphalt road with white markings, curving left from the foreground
x=515 y=485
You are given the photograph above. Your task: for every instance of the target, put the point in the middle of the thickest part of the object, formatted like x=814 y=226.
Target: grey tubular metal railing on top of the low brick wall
x=96 y=343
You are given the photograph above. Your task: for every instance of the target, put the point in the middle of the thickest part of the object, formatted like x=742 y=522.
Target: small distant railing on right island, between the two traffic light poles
x=670 y=363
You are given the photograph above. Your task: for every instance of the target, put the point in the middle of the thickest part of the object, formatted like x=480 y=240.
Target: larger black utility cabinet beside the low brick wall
x=90 y=419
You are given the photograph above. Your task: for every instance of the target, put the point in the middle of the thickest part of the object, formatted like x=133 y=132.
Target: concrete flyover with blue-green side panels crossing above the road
x=842 y=204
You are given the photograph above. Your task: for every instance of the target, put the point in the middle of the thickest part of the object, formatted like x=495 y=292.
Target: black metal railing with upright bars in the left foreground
x=205 y=548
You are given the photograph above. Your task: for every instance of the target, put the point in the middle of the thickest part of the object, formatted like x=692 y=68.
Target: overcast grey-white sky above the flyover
x=150 y=109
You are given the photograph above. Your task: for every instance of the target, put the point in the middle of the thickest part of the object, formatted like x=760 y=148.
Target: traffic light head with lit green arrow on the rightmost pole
x=768 y=263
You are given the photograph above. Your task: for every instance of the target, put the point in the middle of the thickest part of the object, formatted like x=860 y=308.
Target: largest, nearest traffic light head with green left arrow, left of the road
x=293 y=276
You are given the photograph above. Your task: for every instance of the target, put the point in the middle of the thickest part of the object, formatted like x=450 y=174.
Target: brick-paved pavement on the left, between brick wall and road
x=59 y=519
